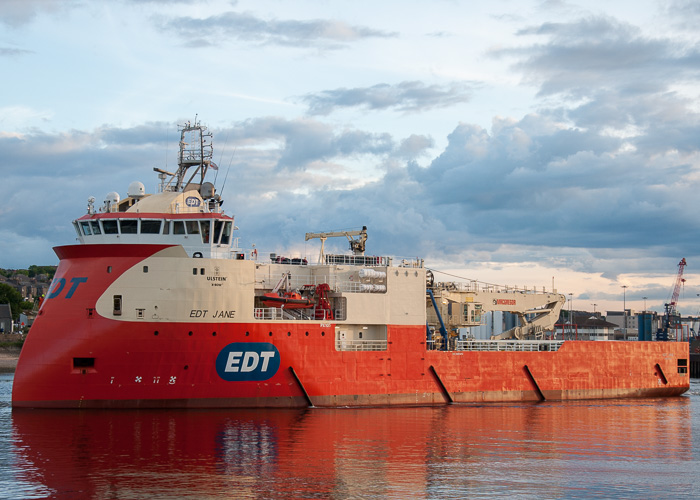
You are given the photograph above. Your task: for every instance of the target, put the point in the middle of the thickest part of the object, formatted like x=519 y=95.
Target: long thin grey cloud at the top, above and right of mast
x=249 y=28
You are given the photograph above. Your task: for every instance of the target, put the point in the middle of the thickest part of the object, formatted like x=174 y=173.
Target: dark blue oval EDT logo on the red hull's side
x=246 y=361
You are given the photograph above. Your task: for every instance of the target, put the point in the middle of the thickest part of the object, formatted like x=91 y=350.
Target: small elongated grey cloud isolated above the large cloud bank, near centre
x=407 y=96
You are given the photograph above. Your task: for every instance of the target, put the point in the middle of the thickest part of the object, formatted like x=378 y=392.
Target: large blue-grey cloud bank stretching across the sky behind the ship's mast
x=525 y=190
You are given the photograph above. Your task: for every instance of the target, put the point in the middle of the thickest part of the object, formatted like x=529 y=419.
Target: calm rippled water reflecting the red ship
x=614 y=449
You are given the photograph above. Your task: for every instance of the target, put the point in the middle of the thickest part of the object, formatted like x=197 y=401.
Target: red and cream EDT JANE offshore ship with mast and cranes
x=158 y=307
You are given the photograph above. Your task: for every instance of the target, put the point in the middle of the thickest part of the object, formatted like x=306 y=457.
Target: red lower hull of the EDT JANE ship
x=75 y=358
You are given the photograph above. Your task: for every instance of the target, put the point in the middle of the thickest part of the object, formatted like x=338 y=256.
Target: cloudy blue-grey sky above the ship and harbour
x=507 y=141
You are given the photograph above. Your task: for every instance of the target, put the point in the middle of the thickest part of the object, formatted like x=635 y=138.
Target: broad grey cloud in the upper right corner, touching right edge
x=595 y=53
